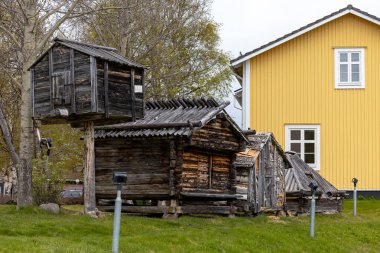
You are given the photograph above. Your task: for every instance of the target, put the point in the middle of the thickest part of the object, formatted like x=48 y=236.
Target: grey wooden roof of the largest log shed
x=174 y=117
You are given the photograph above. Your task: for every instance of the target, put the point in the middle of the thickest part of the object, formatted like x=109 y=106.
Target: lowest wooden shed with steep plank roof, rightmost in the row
x=298 y=194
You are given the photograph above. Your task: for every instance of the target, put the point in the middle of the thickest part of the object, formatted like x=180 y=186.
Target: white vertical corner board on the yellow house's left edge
x=246 y=99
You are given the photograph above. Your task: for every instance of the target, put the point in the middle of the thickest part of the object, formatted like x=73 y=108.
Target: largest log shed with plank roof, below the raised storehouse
x=179 y=159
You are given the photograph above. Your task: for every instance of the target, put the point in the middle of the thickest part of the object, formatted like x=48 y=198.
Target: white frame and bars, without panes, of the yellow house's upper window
x=350 y=84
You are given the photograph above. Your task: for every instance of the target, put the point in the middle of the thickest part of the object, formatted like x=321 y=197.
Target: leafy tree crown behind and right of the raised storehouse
x=176 y=40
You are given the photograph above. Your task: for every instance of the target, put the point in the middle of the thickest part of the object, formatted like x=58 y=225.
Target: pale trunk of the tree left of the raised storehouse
x=24 y=194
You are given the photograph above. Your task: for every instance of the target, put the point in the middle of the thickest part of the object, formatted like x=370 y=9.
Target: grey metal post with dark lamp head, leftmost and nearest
x=118 y=178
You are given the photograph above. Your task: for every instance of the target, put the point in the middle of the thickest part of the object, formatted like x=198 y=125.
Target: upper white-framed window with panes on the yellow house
x=349 y=68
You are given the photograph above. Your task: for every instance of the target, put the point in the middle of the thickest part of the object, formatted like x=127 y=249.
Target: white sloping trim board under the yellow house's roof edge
x=305 y=31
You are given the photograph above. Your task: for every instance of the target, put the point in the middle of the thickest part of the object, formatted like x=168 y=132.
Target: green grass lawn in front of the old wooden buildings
x=32 y=230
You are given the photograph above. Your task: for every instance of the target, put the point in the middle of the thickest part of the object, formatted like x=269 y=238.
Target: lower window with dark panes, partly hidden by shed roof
x=304 y=140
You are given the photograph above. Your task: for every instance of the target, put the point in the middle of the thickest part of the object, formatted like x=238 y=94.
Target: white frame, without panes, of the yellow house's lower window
x=317 y=129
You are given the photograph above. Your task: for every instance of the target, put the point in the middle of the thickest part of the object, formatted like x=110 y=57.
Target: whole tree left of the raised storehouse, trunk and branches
x=28 y=25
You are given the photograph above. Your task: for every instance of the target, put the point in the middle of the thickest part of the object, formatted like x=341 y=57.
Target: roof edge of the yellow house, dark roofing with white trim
x=347 y=10
